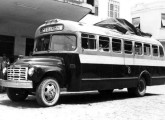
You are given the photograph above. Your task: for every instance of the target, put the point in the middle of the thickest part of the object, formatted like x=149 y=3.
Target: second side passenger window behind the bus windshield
x=104 y=44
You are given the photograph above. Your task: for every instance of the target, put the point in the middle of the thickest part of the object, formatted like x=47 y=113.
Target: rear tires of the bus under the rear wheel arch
x=140 y=90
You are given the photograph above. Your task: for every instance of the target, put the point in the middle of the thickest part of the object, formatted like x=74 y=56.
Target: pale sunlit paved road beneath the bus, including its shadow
x=90 y=106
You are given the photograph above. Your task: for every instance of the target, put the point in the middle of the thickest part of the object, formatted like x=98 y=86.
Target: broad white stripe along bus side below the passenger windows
x=96 y=59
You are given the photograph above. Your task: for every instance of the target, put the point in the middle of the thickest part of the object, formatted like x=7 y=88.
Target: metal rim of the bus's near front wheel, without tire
x=51 y=92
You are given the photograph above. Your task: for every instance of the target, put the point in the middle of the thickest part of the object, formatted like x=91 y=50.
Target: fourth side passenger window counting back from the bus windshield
x=128 y=47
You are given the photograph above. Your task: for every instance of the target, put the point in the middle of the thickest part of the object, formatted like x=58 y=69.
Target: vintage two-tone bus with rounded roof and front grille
x=79 y=57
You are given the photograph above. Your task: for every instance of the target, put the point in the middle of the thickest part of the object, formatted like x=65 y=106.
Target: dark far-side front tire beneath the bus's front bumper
x=17 y=95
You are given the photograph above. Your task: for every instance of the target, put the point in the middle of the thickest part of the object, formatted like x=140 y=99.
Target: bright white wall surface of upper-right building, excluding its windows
x=150 y=19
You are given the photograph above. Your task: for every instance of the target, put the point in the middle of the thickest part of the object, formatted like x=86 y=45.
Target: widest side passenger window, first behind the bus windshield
x=88 y=41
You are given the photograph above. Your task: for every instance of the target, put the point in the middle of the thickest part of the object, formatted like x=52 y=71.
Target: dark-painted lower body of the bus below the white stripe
x=81 y=76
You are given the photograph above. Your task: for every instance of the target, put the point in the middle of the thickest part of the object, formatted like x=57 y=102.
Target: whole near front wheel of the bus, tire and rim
x=48 y=92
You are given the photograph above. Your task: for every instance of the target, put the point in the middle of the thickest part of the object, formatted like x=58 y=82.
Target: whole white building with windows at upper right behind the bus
x=150 y=18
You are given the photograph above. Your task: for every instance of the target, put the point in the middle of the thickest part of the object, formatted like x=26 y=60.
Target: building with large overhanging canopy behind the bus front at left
x=20 y=19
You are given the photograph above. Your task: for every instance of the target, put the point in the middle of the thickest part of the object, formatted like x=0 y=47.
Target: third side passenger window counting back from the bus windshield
x=116 y=45
